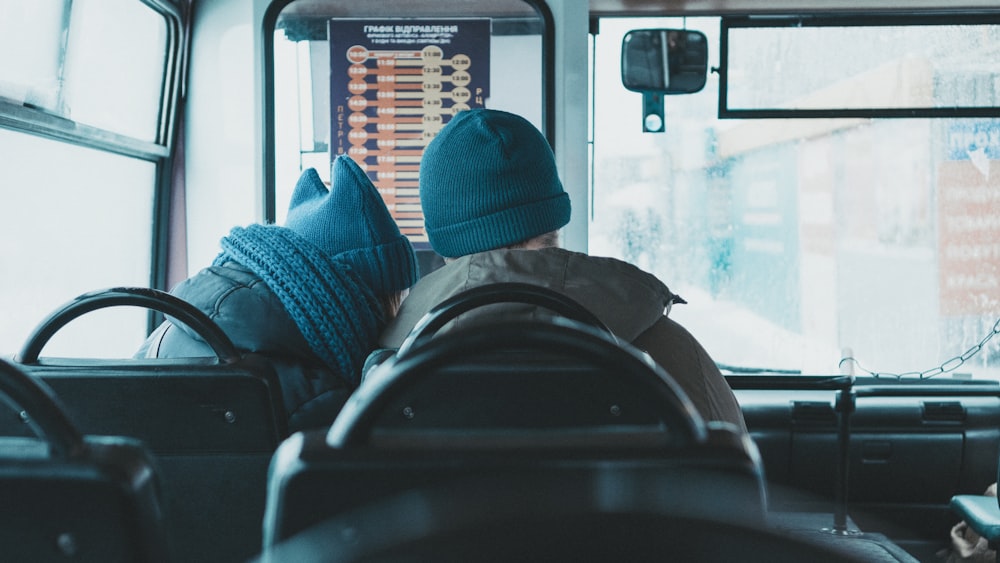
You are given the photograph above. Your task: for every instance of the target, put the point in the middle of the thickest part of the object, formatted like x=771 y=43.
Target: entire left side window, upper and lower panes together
x=83 y=133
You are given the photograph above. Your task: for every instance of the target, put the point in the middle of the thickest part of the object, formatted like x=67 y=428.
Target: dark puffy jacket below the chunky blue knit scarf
x=251 y=315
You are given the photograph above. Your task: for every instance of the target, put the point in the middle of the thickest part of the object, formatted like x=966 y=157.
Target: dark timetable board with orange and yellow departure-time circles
x=393 y=85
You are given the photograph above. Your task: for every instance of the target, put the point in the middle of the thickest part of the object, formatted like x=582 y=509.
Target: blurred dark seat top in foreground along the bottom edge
x=618 y=515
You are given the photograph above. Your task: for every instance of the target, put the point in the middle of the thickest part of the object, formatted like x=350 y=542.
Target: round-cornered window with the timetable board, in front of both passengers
x=348 y=79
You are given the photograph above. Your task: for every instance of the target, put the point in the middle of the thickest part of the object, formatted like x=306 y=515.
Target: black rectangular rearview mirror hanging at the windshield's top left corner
x=667 y=61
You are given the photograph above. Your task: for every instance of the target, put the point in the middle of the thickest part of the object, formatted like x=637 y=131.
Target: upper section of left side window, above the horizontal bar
x=98 y=63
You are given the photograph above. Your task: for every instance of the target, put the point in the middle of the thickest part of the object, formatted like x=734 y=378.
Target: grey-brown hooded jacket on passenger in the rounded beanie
x=632 y=303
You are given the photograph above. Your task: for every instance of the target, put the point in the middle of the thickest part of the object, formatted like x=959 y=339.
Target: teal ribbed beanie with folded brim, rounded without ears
x=489 y=180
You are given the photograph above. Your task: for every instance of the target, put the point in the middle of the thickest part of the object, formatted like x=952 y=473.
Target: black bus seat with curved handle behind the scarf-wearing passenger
x=211 y=423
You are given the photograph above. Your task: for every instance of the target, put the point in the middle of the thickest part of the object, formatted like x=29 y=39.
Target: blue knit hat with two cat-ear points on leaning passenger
x=350 y=222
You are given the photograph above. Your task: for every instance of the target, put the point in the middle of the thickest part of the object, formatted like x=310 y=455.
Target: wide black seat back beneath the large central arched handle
x=311 y=481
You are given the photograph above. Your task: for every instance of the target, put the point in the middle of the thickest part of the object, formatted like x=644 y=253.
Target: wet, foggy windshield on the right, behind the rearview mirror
x=821 y=246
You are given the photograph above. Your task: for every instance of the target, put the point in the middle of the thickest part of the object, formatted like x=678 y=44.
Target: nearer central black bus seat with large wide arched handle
x=552 y=399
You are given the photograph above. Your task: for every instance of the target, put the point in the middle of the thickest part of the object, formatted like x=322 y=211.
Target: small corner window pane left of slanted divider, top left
x=33 y=30
